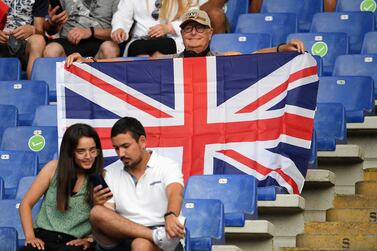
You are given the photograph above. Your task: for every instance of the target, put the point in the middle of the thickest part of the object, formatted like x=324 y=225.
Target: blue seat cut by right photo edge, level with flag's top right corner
x=357 y=65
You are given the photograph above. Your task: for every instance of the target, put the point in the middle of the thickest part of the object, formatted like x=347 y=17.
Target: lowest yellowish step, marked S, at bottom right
x=339 y=241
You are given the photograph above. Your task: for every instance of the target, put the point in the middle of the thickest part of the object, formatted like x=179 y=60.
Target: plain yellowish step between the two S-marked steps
x=340 y=228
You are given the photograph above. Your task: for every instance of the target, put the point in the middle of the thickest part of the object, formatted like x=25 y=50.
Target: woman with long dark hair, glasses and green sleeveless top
x=62 y=223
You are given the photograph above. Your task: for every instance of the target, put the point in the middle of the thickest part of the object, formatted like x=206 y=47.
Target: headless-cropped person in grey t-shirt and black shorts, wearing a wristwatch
x=83 y=27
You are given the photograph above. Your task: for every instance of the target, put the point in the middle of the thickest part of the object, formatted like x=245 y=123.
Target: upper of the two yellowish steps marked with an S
x=352 y=215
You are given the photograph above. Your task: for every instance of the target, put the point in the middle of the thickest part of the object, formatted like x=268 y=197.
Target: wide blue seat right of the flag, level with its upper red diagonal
x=354 y=92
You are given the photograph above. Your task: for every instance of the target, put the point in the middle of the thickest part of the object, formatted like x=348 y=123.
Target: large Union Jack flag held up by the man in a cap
x=232 y=114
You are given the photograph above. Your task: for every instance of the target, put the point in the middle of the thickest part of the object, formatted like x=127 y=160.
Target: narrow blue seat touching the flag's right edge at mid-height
x=330 y=125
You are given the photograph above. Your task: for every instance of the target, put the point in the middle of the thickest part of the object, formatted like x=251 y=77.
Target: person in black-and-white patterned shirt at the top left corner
x=22 y=36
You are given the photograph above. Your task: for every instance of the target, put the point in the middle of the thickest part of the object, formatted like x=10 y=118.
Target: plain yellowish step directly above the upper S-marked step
x=355 y=201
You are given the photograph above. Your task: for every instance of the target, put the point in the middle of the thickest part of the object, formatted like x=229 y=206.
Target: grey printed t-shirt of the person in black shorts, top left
x=88 y=13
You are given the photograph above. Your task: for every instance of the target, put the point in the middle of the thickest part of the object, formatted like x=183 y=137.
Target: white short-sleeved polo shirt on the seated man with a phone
x=144 y=202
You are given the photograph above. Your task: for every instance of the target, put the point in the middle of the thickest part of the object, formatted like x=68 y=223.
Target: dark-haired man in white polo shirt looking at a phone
x=146 y=190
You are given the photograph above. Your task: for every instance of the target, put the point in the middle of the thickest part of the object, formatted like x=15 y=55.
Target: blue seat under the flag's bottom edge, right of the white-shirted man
x=238 y=193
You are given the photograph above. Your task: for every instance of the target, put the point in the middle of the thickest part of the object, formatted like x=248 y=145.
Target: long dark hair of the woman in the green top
x=67 y=167
